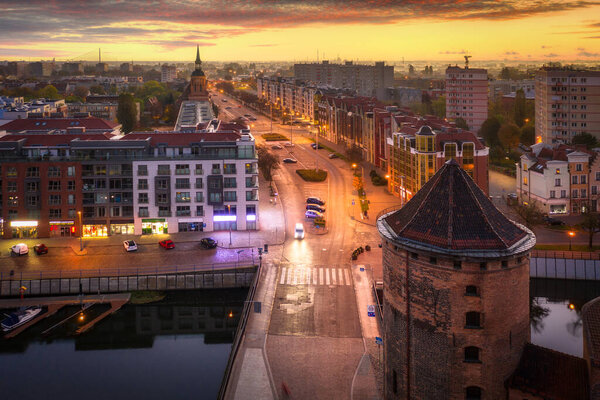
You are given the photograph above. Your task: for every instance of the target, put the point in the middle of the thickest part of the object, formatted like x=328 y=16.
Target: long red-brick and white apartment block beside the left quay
x=103 y=184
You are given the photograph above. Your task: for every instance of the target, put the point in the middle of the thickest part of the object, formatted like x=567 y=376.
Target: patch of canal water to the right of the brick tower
x=556 y=313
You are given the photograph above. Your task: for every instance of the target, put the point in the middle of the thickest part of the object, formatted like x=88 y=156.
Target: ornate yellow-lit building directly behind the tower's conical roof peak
x=419 y=147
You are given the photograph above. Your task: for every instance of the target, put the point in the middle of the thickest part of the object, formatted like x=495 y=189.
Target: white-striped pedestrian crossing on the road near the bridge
x=299 y=275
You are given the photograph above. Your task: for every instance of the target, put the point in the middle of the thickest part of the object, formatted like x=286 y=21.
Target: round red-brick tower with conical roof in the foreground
x=456 y=292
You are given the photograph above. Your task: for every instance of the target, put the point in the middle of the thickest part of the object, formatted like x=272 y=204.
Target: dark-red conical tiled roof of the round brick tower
x=451 y=214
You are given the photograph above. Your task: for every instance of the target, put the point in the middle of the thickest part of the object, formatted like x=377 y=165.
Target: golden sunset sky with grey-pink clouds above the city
x=294 y=30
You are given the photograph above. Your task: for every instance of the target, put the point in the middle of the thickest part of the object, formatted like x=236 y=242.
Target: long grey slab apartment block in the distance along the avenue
x=365 y=80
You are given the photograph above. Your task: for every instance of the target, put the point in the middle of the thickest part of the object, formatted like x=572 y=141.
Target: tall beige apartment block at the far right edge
x=567 y=103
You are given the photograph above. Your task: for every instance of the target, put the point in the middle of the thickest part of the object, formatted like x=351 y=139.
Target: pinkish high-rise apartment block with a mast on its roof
x=467 y=95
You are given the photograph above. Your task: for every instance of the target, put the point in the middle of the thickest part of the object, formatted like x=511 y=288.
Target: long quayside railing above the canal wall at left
x=122 y=272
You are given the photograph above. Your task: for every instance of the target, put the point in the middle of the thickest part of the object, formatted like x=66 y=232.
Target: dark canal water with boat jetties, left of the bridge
x=176 y=348
